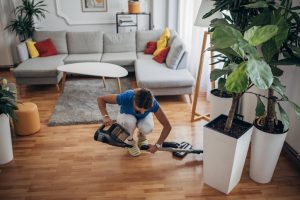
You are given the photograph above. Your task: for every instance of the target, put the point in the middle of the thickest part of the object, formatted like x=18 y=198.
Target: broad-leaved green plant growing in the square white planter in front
x=250 y=68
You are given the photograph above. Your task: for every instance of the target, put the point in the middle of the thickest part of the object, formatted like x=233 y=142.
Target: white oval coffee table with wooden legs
x=94 y=69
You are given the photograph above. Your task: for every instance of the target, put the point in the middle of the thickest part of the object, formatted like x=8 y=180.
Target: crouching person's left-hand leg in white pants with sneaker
x=129 y=123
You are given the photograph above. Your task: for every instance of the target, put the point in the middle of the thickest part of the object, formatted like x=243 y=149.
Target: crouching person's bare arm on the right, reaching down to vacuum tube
x=160 y=115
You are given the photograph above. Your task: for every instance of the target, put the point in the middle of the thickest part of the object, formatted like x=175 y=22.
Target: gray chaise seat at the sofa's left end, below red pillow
x=40 y=67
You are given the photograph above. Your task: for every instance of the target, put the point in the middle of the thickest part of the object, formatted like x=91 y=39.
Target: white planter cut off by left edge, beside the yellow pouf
x=6 y=151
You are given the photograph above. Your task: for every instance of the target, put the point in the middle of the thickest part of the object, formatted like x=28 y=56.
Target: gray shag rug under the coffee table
x=78 y=103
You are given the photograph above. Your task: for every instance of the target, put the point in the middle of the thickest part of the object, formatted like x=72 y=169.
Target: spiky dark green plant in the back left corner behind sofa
x=24 y=25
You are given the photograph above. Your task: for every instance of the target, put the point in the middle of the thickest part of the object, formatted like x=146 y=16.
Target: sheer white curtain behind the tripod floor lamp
x=192 y=37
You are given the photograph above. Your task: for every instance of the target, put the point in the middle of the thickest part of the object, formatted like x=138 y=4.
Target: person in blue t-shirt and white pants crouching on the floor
x=136 y=111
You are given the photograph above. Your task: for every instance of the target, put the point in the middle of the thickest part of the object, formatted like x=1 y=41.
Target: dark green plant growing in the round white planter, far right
x=284 y=49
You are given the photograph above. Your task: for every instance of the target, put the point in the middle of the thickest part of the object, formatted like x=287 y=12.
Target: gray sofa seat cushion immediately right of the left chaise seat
x=77 y=58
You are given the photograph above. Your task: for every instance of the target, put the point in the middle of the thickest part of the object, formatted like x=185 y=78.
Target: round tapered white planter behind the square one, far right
x=265 y=151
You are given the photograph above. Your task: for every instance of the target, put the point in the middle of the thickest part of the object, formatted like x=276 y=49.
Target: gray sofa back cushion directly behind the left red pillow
x=58 y=38
